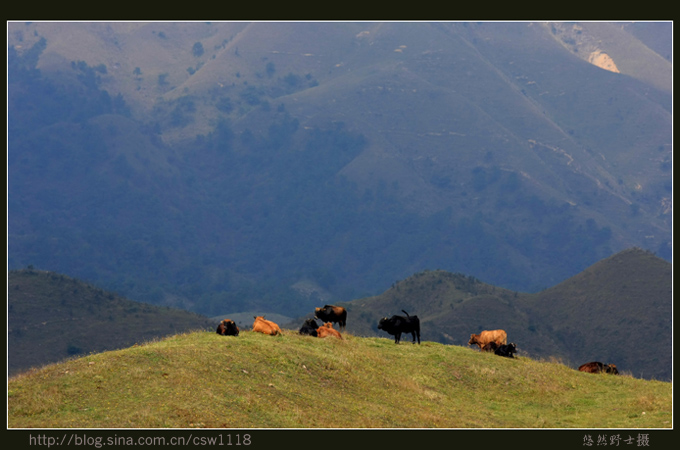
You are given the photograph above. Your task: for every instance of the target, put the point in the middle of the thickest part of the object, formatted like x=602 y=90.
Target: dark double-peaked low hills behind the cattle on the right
x=605 y=313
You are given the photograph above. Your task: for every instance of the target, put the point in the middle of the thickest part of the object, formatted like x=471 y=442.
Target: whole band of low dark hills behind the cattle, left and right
x=617 y=311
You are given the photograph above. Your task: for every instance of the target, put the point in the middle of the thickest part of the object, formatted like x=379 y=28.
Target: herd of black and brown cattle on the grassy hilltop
x=495 y=341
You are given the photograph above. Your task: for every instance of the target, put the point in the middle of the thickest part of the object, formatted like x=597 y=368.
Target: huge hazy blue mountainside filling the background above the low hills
x=215 y=166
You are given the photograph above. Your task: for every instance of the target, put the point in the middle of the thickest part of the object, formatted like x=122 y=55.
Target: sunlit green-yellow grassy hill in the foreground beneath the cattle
x=201 y=379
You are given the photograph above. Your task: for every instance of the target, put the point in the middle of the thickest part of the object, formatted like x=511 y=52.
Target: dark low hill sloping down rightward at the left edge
x=52 y=317
